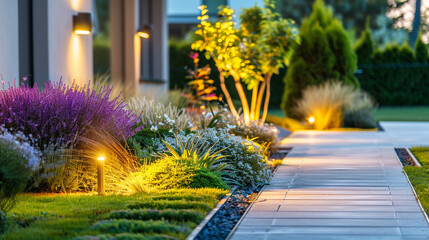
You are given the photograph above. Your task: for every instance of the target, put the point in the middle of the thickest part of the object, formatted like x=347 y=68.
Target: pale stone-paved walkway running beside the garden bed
x=336 y=185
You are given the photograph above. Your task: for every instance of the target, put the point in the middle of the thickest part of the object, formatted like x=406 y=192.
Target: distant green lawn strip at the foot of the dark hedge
x=409 y=113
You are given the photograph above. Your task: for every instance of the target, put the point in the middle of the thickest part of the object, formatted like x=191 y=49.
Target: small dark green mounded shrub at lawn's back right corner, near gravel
x=204 y=178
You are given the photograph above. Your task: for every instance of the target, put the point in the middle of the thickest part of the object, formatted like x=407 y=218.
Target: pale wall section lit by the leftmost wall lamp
x=70 y=55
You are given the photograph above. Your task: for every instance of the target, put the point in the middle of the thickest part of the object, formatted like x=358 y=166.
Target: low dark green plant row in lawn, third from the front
x=151 y=214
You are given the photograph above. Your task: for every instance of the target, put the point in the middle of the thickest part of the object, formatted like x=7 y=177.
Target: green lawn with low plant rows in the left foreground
x=140 y=216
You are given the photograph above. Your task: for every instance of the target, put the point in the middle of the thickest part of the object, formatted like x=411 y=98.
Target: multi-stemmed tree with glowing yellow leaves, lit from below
x=251 y=53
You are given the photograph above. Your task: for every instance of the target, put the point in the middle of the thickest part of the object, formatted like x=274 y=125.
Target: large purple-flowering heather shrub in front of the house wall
x=59 y=113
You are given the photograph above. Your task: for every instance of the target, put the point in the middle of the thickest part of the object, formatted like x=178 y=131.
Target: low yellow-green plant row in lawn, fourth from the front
x=173 y=204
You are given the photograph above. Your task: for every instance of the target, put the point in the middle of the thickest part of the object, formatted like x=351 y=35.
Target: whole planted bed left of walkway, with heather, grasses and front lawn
x=160 y=170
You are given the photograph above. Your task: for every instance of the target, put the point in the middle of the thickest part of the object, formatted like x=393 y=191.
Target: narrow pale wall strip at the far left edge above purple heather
x=9 y=44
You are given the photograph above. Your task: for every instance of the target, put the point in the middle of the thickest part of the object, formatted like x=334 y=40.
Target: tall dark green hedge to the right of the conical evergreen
x=395 y=75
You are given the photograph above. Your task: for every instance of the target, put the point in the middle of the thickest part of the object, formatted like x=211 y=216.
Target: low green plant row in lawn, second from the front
x=136 y=226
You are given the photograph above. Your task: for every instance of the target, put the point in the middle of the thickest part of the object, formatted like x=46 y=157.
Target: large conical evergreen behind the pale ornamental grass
x=325 y=53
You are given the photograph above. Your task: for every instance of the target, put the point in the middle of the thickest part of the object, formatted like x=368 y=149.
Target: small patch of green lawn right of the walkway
x=419 y=177
